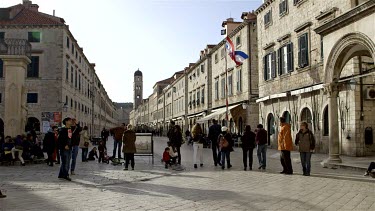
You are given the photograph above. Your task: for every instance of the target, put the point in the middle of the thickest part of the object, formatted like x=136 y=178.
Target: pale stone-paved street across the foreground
x=107 y=187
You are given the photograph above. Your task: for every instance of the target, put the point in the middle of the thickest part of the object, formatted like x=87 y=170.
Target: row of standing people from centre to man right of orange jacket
x=222 y=145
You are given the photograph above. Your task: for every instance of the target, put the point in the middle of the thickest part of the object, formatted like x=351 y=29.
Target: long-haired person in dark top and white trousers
x=197 y=135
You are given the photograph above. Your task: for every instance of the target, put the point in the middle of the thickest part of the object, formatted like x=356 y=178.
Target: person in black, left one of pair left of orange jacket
x=248 y=145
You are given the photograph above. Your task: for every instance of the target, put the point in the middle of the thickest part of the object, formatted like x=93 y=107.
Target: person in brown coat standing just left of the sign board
x=129 y=149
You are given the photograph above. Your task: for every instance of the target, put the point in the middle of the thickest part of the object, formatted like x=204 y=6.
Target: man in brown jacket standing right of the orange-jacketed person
x=306 y=141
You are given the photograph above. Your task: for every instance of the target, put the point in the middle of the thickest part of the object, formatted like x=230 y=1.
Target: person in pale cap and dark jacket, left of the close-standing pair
x=226 y=146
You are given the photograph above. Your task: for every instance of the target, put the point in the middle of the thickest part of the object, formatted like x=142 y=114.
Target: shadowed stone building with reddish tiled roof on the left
x=60 y=81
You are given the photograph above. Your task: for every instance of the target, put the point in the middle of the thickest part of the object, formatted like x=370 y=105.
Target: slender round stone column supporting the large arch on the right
x=332 y=91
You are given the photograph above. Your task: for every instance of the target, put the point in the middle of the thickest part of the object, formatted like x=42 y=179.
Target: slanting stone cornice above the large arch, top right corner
x=347 y=18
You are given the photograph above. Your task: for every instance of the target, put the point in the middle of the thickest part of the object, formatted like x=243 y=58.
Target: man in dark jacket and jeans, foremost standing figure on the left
x=65 y=147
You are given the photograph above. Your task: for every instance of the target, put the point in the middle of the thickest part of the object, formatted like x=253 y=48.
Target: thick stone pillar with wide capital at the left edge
x=15 y=114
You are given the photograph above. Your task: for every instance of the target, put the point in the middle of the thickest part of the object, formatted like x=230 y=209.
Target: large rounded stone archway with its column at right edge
x=350 y=47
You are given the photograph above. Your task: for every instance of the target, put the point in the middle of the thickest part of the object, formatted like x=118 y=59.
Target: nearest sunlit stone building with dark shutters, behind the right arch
x=294 y=79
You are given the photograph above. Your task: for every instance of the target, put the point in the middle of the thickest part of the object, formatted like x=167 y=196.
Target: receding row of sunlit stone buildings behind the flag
x=188 y=96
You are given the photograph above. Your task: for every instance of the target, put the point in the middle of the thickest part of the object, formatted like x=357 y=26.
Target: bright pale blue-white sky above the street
x=159 y=37
